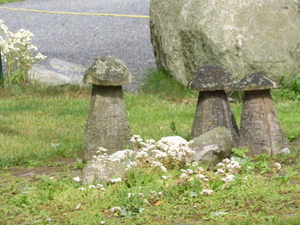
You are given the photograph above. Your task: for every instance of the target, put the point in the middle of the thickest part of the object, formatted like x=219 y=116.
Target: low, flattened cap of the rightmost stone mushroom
x=256 y=81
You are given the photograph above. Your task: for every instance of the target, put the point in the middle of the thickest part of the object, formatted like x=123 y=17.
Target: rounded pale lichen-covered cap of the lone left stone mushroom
x=107 y=71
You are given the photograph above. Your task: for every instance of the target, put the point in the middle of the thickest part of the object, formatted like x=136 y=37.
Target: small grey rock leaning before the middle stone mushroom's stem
x=212 y=147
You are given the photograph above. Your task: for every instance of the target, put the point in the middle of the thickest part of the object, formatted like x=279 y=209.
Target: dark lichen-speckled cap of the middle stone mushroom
x=210 y=78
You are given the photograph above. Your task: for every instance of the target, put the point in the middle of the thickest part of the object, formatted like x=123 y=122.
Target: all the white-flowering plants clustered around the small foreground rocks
x=173 y=153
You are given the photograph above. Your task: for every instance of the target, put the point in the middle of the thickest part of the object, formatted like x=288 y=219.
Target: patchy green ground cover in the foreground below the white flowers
x=264 y=197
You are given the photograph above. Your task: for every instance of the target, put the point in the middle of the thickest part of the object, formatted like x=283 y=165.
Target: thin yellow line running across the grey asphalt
x=72 y=13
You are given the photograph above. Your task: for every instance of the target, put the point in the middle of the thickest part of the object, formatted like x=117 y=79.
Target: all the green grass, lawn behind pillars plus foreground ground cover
x=45 y=126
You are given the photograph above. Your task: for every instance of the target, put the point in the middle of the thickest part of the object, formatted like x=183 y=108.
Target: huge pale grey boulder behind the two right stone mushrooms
x=241 y=36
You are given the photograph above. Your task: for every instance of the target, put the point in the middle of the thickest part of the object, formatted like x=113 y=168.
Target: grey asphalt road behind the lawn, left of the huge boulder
x=82 y=38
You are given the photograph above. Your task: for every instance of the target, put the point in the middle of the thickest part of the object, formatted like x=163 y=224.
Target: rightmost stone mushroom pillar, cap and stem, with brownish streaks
x=260 y=130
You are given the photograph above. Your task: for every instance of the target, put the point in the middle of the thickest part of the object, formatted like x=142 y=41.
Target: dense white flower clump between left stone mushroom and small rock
x=167 y=153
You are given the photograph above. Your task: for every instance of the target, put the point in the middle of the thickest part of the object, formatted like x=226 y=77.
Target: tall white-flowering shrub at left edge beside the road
x=18 y=53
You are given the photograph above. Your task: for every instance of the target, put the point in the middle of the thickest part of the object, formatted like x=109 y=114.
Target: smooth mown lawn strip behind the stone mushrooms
x=38 y=123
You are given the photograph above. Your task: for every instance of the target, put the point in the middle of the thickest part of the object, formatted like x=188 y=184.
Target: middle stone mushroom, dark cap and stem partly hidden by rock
x=213 y=109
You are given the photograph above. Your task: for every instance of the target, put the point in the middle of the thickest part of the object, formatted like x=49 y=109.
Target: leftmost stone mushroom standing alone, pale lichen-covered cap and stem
x=107 y=124
